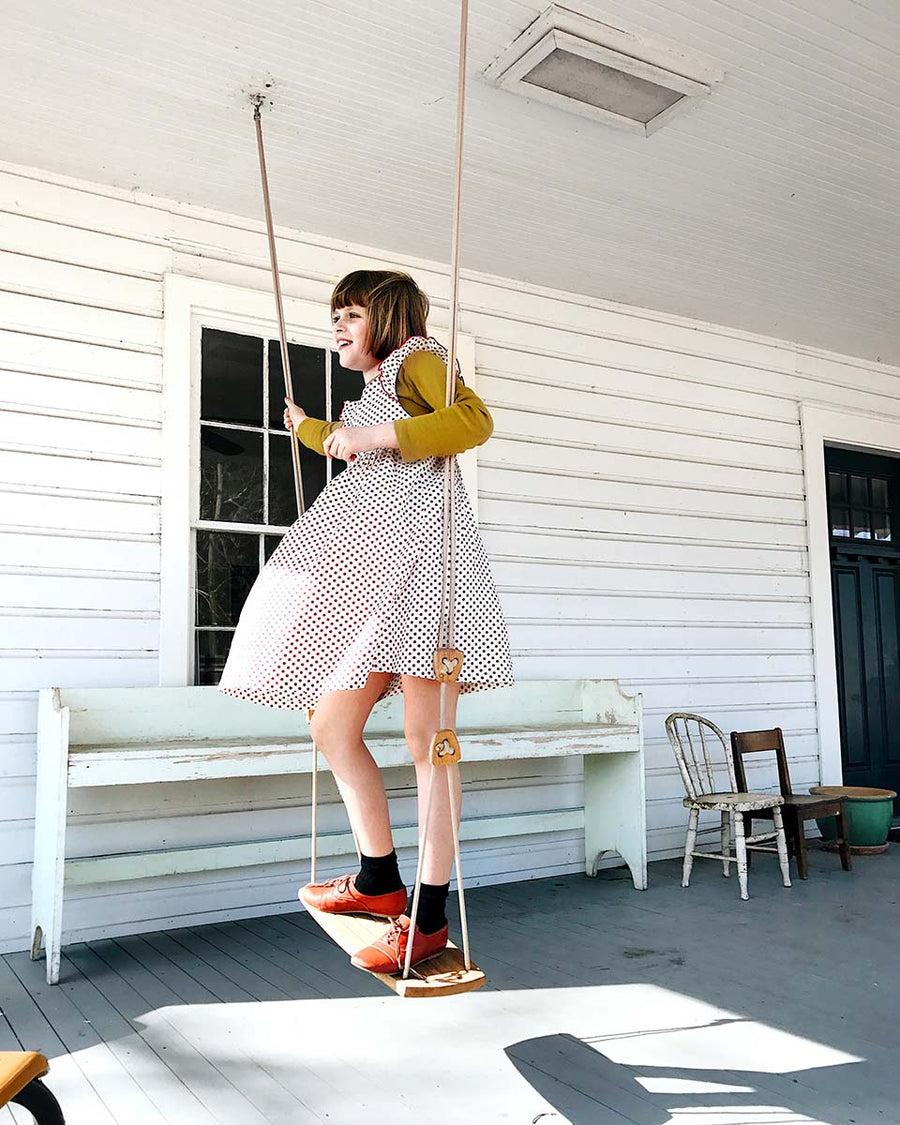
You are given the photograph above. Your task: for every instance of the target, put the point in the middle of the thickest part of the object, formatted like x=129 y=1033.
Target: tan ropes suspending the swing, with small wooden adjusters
x=448 y=661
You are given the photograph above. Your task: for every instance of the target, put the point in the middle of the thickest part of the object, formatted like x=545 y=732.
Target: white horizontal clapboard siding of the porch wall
x=643 y=502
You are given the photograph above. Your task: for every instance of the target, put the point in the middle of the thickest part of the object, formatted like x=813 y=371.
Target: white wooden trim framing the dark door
x=870 y=434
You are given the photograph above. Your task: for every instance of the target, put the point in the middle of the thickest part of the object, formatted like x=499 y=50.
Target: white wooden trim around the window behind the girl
x=192 y=304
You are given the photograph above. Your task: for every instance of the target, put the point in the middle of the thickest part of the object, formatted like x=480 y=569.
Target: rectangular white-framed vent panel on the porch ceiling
x=588 y=68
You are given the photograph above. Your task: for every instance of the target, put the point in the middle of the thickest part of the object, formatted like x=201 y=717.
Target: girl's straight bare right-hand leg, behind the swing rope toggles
x=422 y=721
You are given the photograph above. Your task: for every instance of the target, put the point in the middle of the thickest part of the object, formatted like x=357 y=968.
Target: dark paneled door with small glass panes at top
x=865 y=509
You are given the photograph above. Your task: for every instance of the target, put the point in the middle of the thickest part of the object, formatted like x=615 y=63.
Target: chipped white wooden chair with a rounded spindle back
x=692 y=739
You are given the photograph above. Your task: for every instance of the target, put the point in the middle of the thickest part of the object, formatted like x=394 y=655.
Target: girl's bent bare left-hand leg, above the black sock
x=337 y=728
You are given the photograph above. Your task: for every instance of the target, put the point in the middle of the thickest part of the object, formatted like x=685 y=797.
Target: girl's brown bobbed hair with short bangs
x=395 y=305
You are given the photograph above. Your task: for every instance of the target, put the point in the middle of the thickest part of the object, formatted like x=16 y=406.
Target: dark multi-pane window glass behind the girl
x=247 y=499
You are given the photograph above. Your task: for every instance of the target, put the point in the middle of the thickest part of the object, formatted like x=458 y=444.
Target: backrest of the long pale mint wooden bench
x=113 y=716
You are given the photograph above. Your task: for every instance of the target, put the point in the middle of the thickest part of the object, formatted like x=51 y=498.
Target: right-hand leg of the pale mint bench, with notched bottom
x=615 y=813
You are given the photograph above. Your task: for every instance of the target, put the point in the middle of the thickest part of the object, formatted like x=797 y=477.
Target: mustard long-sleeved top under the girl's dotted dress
x=433 y=430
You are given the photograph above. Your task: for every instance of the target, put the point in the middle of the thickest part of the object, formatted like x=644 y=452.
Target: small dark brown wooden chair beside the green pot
x=798 y=807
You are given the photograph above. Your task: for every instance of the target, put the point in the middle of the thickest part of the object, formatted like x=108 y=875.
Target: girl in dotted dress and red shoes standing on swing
x=347 y=611
